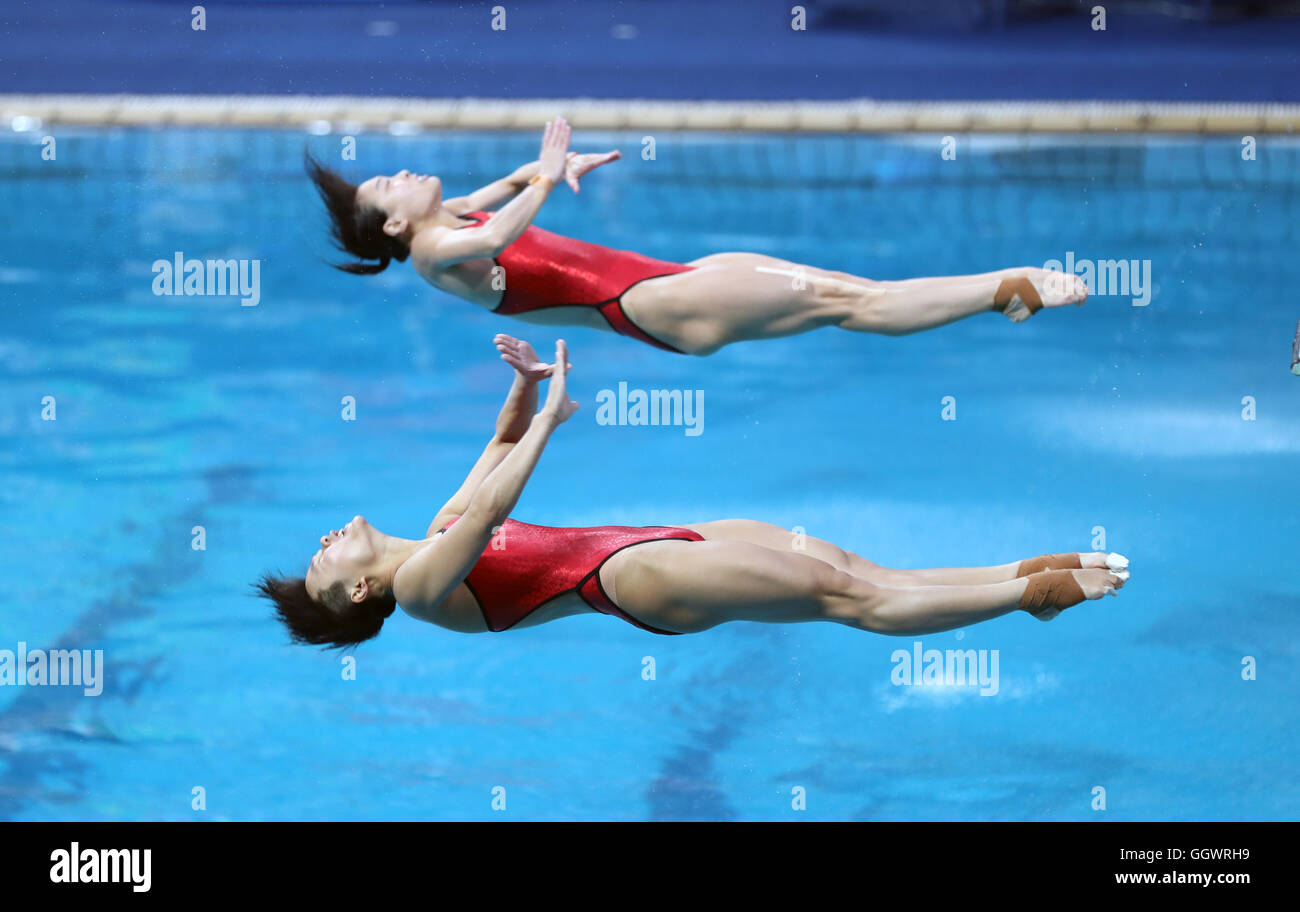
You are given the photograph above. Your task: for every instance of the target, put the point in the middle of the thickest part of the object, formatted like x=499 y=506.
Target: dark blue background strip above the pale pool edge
x=675 y=49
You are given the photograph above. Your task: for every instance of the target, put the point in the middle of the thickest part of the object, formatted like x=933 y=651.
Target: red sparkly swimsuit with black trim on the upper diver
x=545 y=270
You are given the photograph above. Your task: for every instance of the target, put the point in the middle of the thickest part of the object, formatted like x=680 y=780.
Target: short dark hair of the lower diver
x=335 y=622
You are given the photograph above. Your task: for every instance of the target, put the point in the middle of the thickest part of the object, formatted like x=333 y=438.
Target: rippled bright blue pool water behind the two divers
x=1112 y=419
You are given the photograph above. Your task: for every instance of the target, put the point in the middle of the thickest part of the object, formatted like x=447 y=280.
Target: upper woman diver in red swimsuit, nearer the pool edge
x=466 y=245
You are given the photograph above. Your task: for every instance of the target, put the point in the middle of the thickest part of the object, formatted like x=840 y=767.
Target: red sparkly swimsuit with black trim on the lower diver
x=525 y=567
